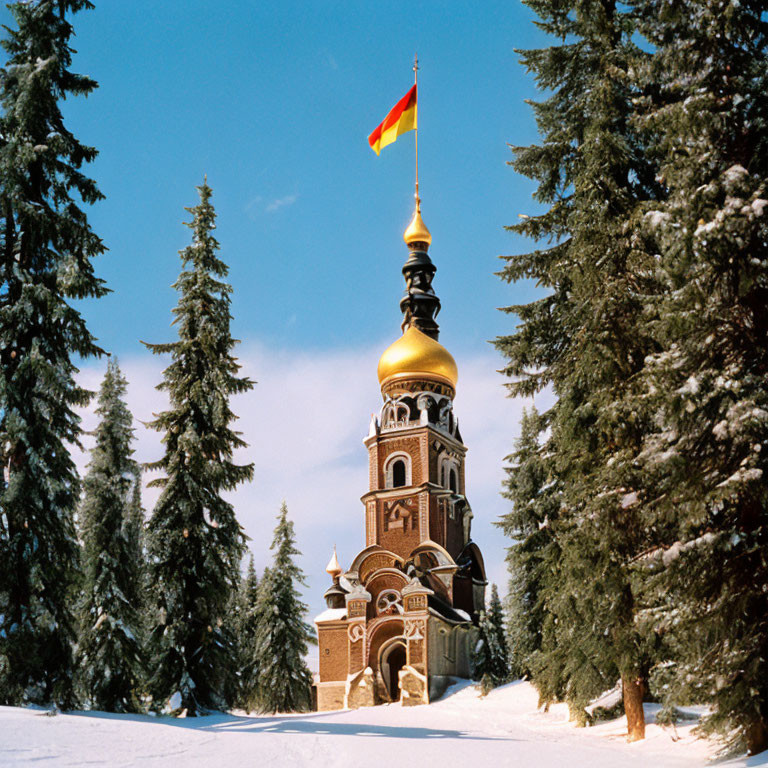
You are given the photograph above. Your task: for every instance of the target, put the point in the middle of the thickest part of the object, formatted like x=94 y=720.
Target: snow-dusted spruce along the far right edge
x=707 y=119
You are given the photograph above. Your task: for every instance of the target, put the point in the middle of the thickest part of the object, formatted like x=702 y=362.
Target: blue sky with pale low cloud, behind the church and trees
x=274 y=101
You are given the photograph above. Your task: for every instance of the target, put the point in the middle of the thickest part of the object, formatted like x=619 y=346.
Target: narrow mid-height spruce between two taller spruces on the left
x=110 y=654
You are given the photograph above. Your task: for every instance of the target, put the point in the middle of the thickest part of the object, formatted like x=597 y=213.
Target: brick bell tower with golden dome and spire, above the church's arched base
x=416 y=454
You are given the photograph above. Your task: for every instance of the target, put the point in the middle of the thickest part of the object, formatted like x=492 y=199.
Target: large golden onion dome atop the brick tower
x=415 y=354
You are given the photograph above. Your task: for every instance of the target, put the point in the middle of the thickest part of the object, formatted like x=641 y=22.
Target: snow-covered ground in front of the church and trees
x=502 y=729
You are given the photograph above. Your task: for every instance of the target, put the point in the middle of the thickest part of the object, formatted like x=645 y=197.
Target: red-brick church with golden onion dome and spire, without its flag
x=401 y=620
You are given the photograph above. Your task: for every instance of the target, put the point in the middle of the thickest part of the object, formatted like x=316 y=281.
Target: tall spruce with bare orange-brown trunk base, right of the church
x=588 y=337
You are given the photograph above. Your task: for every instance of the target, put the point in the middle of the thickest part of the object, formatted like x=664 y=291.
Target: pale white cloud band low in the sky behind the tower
x=305 y=421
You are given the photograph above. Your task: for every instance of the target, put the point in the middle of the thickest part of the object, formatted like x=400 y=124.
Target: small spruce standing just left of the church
x=283 y=680
